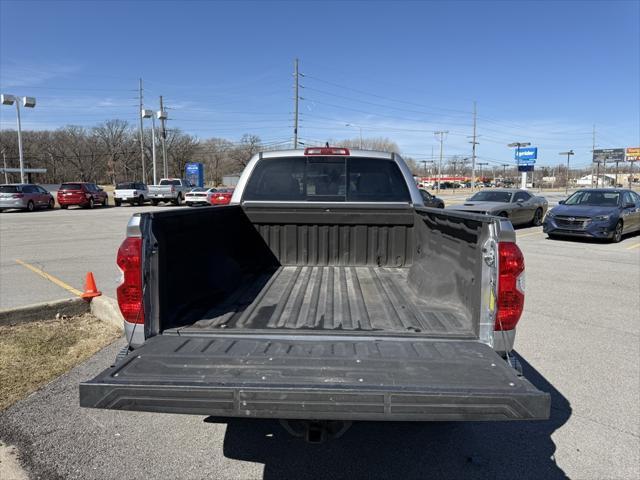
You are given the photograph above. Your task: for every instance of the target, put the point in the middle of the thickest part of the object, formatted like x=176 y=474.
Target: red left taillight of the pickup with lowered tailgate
x=130 y=290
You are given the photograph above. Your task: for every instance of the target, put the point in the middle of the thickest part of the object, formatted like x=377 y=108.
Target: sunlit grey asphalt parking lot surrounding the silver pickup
x=579 y=339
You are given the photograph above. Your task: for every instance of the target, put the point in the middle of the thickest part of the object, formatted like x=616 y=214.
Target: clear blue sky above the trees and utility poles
x=543 y=72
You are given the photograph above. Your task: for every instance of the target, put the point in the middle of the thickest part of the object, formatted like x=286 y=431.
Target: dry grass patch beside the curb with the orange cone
x=32 y=354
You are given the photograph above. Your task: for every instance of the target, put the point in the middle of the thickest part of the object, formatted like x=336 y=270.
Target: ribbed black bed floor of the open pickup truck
x=331 y=298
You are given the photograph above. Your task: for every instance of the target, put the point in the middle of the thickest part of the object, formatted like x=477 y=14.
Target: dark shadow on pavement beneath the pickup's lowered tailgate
x=409 y=450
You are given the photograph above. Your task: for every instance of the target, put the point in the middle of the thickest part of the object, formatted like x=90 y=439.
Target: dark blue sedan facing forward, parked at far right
x=596 y=213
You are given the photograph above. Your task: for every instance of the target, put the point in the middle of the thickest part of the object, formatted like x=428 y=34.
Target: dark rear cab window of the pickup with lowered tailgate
x=328 y=179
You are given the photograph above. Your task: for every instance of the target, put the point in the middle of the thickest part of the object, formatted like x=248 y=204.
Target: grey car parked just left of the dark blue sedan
x=519 y=206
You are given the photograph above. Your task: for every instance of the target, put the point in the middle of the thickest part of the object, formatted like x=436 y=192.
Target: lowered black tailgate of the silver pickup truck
x=323 y=379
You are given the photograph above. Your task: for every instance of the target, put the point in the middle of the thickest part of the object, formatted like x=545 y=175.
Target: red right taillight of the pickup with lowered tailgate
x=510 y=286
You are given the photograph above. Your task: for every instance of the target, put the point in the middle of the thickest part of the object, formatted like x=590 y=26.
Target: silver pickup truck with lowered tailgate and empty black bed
x=325 y=292
